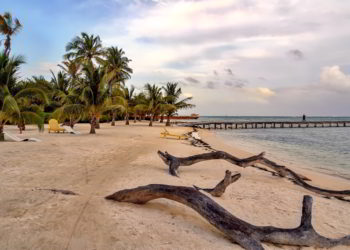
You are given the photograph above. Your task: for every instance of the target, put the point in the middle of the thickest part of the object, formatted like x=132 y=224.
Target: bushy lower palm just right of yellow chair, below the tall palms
x=95 y=95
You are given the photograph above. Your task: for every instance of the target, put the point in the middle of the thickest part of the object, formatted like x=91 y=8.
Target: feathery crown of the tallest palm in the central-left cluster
x=84 y=48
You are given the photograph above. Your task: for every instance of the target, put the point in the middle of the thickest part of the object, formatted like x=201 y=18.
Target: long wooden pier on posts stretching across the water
x=267 y=124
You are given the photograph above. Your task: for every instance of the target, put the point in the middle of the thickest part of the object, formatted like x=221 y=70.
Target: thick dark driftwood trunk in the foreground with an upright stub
x=245 y=234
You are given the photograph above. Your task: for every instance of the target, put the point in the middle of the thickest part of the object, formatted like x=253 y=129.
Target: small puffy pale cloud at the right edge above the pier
x=332 y=78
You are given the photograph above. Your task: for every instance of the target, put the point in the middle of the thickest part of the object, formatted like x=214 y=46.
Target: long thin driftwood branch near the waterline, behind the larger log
x=175 y=162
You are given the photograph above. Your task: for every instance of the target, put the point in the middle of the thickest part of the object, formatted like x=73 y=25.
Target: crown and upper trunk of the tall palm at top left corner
x=9 y=27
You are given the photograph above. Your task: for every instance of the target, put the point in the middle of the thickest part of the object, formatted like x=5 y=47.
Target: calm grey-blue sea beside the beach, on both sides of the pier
x=325 y=150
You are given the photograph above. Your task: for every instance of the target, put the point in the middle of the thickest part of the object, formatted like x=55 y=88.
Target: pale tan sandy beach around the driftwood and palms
x=125 y=157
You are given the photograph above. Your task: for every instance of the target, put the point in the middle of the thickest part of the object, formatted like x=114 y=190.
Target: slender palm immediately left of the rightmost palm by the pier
x=154 y=100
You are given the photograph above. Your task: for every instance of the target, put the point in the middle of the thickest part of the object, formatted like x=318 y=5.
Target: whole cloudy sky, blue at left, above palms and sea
x=235 y=57
